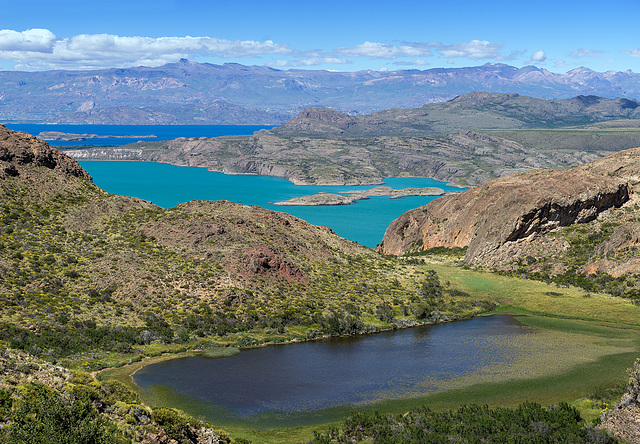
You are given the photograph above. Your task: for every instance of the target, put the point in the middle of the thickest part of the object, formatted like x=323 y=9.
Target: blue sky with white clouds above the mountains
x=347 y=35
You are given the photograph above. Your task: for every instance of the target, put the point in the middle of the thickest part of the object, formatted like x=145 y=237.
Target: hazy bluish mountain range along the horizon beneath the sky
x=187 y=92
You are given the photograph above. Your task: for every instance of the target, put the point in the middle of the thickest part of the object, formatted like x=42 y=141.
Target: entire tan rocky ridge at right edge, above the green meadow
x=522 y=215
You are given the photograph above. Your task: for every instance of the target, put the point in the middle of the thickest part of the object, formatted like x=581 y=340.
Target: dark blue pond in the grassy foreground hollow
x=315 y=375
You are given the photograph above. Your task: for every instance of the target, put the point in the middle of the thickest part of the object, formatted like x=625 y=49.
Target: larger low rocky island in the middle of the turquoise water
x=352 y=196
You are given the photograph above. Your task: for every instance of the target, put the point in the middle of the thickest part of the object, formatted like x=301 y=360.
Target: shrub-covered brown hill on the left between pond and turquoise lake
x=81 y=269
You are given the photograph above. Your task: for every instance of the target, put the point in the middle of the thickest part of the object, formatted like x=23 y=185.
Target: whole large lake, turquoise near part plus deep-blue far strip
x=165 y=185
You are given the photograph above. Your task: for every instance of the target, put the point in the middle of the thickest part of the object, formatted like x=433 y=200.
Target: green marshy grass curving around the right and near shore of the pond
x=581 y=345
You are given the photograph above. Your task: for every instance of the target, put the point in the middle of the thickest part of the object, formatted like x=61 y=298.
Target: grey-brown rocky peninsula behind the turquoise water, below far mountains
x=467 y=141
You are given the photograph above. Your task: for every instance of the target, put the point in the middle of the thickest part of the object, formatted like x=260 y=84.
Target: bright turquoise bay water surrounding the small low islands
x=364 y=221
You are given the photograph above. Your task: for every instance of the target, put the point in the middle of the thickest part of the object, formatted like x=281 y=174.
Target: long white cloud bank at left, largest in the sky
x=41 y=49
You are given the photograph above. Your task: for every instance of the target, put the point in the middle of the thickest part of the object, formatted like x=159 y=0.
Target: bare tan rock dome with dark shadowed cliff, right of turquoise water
x=493 y=219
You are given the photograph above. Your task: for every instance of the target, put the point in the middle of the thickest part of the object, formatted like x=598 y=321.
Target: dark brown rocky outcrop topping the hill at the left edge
x=18 y=148
